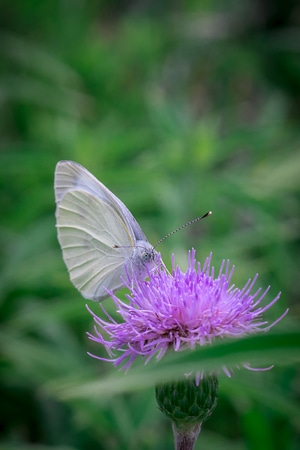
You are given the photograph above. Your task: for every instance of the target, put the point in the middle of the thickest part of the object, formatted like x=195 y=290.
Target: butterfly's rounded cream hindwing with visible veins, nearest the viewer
x=89 y=232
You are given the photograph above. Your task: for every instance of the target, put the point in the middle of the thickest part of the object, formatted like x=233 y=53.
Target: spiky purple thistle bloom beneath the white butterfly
x=179 y=311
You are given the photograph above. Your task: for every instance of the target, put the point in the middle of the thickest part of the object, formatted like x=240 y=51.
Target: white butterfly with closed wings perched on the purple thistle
x=100 y=239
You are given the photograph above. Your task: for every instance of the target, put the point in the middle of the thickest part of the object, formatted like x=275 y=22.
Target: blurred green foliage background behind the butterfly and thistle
x=179 y=108
